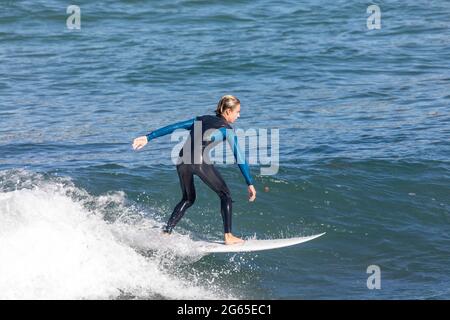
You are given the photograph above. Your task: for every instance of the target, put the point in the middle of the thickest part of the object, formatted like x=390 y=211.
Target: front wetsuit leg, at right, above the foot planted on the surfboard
x=209 y=175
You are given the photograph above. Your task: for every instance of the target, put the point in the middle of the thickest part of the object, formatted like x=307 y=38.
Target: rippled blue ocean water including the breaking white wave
x=364 y=147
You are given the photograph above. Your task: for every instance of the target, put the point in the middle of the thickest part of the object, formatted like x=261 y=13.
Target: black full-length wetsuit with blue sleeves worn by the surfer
x=194 y=160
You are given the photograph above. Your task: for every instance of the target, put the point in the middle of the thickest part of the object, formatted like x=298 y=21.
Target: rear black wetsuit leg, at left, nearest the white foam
x=186 y=175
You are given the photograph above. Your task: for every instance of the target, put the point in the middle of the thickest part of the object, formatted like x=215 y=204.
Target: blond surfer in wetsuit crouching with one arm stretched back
x=193 y=160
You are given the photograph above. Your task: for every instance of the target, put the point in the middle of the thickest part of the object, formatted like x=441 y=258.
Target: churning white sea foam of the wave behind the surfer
x=53 y=247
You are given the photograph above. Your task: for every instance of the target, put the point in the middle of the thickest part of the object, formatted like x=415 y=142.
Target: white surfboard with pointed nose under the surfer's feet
x=252 y=245
